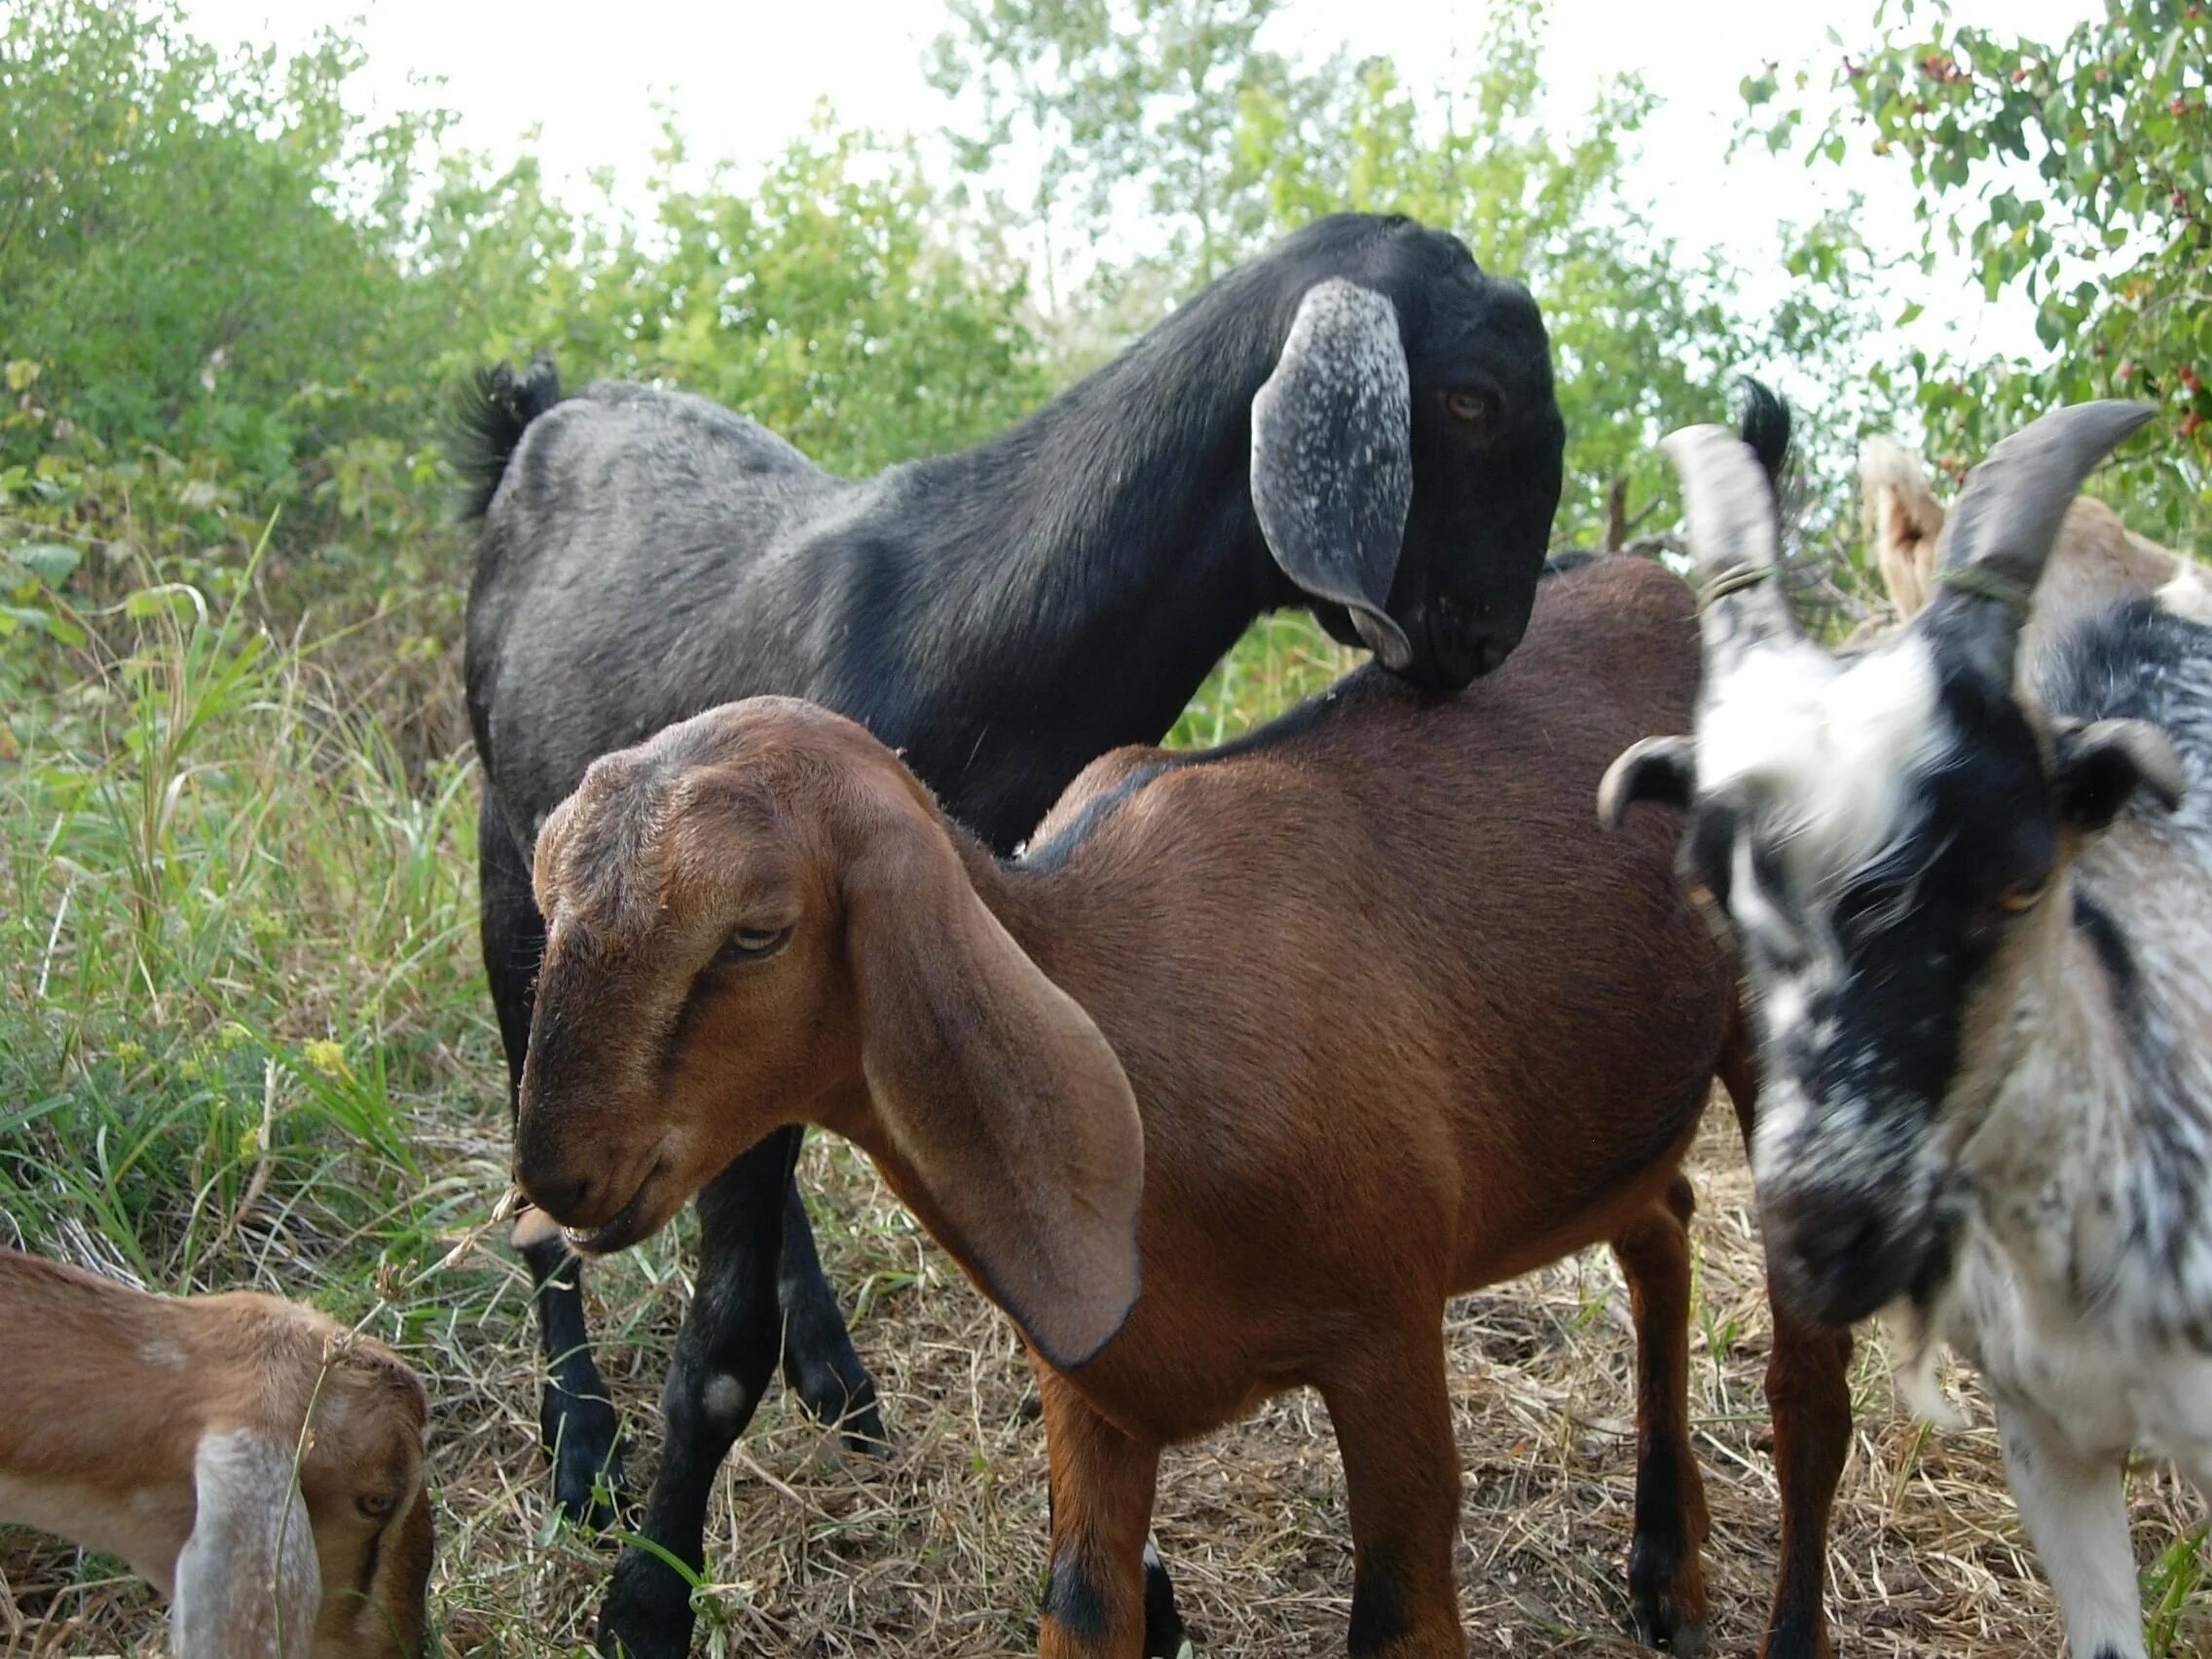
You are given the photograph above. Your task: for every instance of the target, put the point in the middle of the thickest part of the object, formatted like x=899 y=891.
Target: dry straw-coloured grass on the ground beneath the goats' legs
x=941 y=1550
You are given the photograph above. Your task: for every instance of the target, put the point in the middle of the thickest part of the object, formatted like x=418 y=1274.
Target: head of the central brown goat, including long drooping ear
x=760 y=919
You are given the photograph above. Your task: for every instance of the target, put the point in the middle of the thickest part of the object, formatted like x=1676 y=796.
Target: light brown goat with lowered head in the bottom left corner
x=249 y=1457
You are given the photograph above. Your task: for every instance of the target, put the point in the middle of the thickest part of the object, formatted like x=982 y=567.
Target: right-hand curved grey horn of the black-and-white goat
x=2005 y=523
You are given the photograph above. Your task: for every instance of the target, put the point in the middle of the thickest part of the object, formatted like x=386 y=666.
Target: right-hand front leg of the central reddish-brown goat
x=1404 y=1483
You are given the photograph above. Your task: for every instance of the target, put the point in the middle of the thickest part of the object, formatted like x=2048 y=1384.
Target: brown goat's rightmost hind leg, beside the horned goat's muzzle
x=1811 y=1406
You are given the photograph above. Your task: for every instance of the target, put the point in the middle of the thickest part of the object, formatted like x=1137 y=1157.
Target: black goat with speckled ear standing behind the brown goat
x=1359 y=421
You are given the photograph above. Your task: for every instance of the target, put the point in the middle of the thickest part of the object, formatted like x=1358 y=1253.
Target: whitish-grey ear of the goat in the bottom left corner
x=249 y=1585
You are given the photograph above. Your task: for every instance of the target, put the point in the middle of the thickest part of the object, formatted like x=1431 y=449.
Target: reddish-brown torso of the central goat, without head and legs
x=1381 y=968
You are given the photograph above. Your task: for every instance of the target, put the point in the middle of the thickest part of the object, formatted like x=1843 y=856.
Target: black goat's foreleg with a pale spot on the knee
x=724 y=1359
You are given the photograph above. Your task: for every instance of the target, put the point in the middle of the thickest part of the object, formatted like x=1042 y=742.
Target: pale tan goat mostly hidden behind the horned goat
x=2094 y=561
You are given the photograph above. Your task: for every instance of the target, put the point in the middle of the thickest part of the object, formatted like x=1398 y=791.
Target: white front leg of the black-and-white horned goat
x=2076 y=1512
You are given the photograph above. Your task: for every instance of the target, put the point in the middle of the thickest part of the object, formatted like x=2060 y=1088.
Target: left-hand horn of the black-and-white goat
x=1735 y=541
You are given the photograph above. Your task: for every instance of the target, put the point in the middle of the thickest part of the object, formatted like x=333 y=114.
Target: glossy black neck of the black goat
x=1116 y=525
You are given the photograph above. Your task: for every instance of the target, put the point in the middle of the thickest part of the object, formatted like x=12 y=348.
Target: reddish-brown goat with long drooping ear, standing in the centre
x=1300 y=1039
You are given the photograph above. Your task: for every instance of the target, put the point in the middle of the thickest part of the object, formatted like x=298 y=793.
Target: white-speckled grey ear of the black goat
x=1333 y=457
